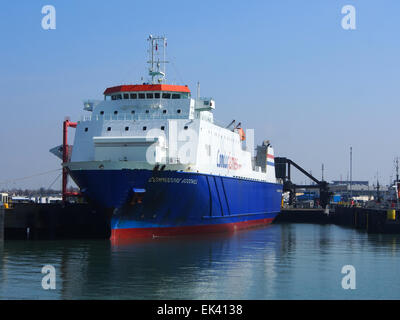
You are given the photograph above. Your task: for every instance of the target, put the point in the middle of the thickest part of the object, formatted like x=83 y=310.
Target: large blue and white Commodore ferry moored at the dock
x=154 y=156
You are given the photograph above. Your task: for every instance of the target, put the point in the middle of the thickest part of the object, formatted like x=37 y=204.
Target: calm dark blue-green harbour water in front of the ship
x=288 y=261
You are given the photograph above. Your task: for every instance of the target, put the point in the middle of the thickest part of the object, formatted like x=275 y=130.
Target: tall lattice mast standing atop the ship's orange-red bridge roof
x=157 y=46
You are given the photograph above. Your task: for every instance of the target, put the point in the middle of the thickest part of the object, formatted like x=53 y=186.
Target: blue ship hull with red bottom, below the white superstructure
x=162 y=203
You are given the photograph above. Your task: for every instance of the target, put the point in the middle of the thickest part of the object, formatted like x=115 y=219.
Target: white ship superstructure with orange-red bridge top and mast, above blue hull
x=155 y=124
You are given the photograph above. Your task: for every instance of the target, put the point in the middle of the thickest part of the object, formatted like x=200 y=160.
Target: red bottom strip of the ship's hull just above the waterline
x=133 y=233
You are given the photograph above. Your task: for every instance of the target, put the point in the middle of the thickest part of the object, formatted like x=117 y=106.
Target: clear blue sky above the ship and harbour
x=285 y=68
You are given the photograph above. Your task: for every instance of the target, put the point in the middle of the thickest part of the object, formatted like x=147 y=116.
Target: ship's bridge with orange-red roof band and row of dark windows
x=147 y=91
